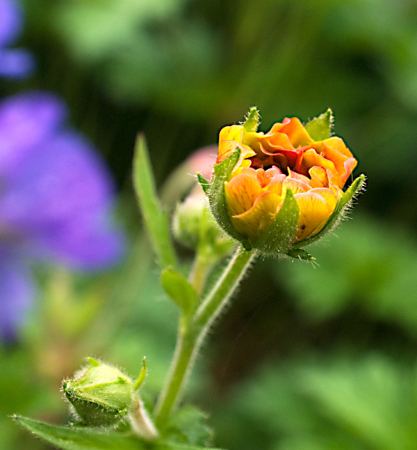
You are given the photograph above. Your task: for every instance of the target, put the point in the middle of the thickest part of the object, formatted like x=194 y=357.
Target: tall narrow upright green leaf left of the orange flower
x=155 y=218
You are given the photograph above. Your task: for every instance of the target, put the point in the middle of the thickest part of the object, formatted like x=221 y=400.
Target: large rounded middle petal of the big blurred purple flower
x=62 y=180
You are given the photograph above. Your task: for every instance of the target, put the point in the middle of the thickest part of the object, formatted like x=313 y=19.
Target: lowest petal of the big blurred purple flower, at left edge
x=16 y=295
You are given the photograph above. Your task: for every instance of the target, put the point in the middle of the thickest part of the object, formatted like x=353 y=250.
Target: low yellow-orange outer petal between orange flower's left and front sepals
x=255 y=221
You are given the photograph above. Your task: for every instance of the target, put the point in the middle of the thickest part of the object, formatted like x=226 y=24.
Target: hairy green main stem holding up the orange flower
x=190 y=338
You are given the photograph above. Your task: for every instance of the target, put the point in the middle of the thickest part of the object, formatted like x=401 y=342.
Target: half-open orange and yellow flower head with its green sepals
x=256 y=172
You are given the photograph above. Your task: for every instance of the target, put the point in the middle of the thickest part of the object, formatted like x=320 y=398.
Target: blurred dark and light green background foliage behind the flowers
x=308 y=356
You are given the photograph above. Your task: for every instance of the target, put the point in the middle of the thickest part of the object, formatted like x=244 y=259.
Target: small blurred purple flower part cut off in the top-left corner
x=14 y=63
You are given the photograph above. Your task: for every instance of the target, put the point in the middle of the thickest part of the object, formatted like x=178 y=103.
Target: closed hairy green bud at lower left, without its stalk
x=100 y=394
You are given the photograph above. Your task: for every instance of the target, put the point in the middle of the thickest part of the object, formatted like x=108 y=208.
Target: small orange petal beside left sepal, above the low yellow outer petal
x=242 y=191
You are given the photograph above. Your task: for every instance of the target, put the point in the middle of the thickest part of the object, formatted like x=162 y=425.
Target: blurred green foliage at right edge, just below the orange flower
x=367 y=265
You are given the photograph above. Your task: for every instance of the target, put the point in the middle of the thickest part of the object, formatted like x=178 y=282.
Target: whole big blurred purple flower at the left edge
x=55 y=199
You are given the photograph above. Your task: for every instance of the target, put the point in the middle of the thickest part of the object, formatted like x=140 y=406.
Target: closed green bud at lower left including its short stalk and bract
x=103 y=396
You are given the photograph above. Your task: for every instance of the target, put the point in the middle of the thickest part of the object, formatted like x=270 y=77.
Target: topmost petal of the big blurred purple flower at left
x=26 y=120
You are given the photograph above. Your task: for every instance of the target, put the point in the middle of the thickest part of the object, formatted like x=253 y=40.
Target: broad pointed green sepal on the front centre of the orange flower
x=277 y=238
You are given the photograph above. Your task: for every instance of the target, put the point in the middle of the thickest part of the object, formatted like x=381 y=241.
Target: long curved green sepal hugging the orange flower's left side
x=217 y=199
